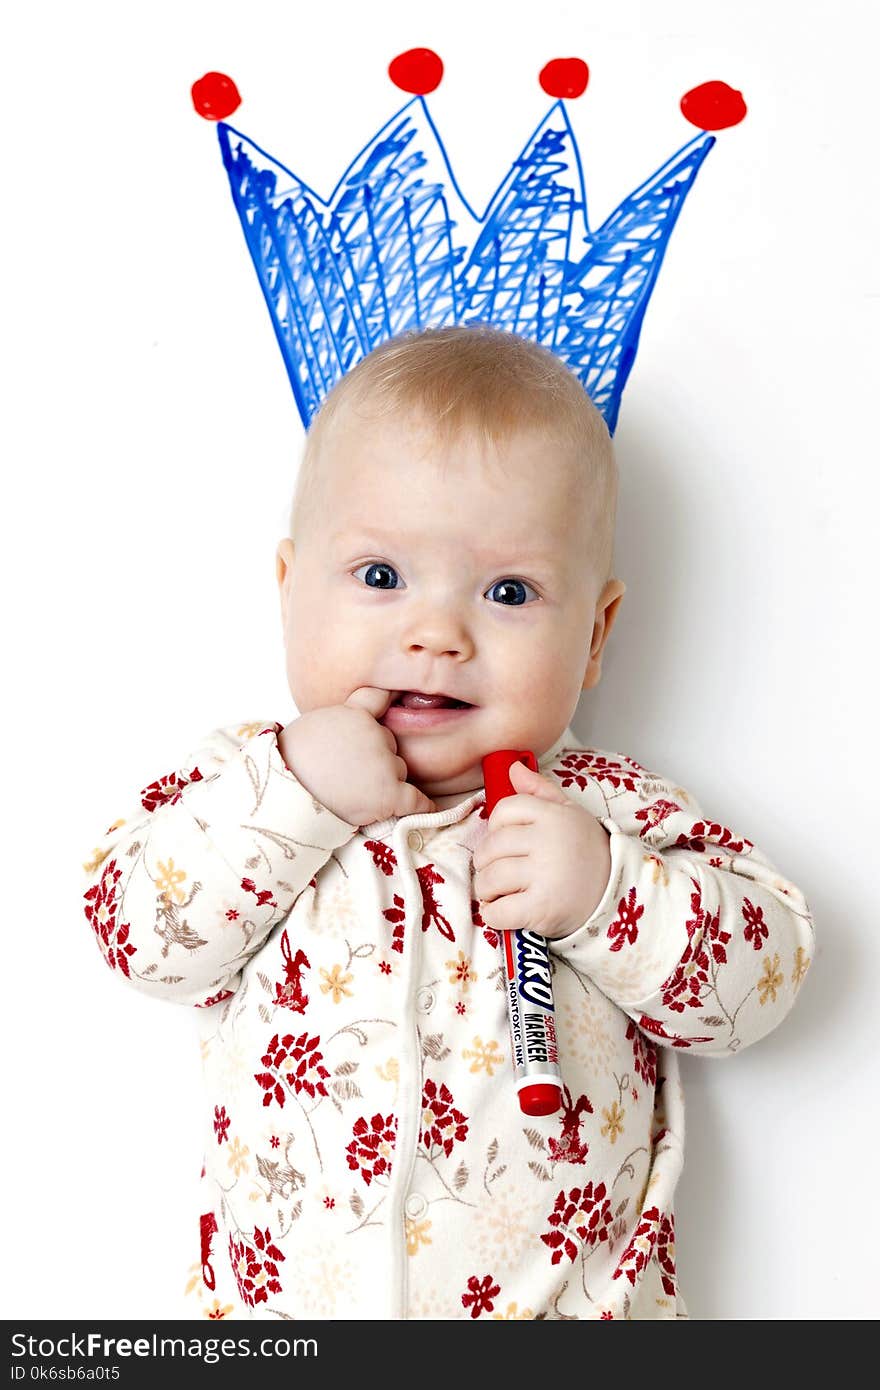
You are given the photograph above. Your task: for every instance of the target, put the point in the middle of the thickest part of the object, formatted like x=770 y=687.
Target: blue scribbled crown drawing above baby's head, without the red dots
x=398 y=247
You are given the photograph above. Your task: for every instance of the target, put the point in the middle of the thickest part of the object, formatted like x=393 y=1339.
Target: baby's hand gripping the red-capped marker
x=544 y=862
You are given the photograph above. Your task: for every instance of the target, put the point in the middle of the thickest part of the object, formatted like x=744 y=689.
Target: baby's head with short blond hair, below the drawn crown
x=453 y=532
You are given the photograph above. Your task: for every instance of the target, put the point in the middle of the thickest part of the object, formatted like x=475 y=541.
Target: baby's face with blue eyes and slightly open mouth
x=432 y=569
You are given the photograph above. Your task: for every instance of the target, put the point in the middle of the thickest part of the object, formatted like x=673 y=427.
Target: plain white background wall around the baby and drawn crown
x=151 y=448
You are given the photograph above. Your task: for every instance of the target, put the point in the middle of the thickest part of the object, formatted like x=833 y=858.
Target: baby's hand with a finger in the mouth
x=345 y=758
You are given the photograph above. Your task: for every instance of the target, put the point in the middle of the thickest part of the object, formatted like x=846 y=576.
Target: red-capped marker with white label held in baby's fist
x=528 y=970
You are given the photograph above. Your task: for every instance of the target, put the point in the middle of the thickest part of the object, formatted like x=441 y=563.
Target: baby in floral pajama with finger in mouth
x=330 y=894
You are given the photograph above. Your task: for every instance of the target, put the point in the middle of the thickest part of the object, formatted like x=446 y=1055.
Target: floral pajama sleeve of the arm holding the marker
x=697 y=939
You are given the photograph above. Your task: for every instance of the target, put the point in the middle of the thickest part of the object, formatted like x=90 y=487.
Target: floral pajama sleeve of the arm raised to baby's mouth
x=188 y=886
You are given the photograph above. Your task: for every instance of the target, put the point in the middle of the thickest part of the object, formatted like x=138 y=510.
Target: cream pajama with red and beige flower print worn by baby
x=365 y=1152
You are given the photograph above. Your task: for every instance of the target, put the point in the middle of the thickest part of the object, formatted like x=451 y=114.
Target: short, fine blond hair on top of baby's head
x=484 y=382
